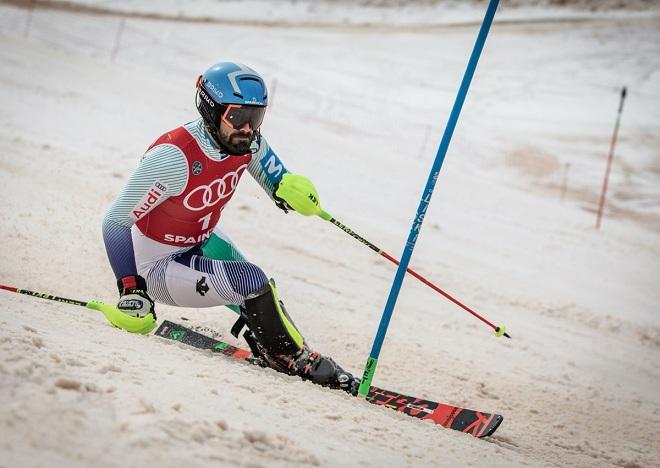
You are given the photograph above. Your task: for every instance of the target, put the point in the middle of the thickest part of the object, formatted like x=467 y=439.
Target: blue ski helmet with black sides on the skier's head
x=228 y=83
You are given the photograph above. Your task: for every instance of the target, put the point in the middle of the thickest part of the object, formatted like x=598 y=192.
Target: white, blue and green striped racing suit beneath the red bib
x=202 y=274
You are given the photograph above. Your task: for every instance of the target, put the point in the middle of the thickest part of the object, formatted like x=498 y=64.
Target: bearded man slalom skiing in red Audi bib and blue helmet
x=162 y=236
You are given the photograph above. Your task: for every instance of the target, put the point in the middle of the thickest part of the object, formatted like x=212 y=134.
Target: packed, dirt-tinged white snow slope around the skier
x=359 y=110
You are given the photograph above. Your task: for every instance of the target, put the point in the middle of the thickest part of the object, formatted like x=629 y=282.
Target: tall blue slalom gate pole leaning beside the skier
x=372 y=361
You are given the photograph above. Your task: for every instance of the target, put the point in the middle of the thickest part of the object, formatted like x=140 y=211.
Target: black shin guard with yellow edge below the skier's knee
x=271 y=325
